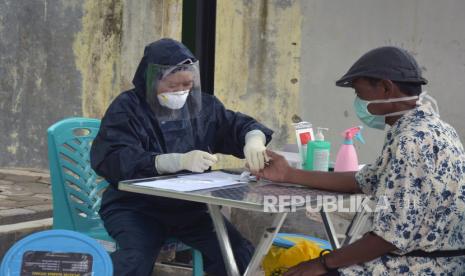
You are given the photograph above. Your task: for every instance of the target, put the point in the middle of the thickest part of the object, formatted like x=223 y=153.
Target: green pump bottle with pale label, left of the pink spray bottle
x=318 y=153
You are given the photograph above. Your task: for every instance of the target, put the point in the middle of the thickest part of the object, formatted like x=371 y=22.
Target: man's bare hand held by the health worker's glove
x=277 y=169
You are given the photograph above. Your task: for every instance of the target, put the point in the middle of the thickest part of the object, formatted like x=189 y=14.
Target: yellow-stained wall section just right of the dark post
x=258 y=62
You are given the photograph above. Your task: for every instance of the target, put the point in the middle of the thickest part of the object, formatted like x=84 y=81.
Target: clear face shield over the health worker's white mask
x=173 y=91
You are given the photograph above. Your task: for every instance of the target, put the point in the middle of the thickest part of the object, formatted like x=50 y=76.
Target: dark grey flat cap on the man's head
x=390 y=63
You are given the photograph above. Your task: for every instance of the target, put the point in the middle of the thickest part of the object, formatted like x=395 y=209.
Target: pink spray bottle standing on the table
x=346 y=159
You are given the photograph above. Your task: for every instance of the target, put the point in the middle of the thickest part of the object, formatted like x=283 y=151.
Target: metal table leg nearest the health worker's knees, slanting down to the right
x=223 y=239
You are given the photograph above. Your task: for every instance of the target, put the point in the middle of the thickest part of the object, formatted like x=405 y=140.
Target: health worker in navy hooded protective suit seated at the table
x=167 y=125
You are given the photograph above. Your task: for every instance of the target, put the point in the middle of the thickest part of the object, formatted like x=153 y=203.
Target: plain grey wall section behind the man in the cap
x=336 y=33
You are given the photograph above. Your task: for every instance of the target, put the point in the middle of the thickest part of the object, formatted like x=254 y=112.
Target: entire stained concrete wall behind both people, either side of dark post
x=275 y=59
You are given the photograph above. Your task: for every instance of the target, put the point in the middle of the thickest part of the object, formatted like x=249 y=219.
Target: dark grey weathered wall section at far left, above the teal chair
x=39 y=81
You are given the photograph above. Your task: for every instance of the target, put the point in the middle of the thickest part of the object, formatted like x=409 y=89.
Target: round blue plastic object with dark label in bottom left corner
x=59 y=248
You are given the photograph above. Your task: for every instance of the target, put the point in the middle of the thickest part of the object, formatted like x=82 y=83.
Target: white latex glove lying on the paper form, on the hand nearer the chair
x=194 y=161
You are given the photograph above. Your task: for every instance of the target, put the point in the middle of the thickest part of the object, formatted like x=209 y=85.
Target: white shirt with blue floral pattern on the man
x=421 y=177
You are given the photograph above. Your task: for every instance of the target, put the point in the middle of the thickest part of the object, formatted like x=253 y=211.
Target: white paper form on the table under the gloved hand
x=194 y=182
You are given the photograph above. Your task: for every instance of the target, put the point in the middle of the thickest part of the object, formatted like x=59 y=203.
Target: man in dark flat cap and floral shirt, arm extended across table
x=420 y=173
